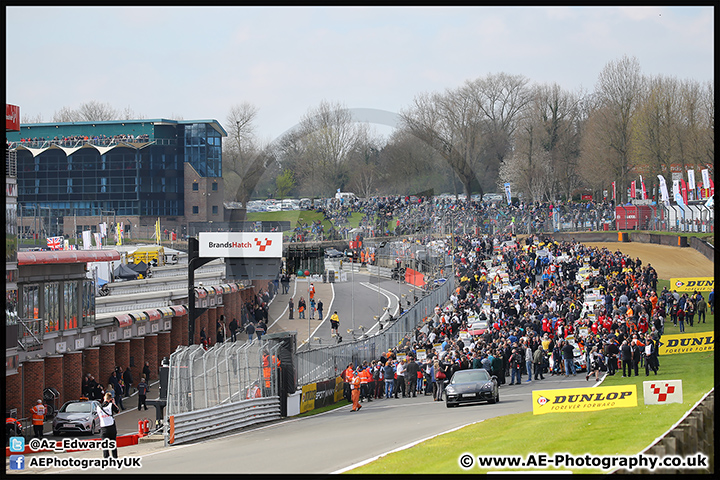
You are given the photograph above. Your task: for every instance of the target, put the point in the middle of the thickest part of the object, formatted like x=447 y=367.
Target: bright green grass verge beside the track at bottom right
x=620 y=431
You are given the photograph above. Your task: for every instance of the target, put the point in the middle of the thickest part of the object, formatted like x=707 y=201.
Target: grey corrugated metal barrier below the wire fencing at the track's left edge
x=221 y=419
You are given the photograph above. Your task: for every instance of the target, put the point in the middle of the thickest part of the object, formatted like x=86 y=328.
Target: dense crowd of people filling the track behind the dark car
x=532 y=297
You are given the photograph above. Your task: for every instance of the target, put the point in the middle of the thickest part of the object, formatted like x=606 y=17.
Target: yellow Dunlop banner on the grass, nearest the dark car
x=584 y=399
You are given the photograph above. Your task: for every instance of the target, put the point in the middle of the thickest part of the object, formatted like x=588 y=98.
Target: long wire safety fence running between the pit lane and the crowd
x=324 y=363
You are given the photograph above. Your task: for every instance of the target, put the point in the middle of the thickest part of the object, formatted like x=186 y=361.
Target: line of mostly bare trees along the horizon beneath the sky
x=547 y=142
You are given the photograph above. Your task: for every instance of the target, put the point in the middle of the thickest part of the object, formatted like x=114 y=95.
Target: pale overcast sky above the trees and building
x=196 y=63
